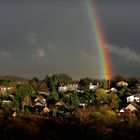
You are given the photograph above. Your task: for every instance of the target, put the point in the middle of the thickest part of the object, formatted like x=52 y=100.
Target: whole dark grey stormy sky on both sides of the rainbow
x=40 y=37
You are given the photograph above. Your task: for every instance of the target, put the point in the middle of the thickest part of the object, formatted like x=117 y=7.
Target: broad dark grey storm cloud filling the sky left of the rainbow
x=42 y=36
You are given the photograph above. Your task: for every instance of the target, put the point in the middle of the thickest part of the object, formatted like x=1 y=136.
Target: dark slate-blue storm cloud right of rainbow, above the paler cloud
x=121 y=21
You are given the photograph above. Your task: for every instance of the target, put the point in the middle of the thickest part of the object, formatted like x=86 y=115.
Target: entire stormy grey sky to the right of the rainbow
x=121 y=22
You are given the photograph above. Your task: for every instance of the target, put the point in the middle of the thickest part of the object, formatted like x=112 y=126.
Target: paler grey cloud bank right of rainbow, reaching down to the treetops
x=125 y=61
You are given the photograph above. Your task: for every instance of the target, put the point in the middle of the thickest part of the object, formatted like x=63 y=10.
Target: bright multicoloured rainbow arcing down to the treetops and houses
x=99 y=38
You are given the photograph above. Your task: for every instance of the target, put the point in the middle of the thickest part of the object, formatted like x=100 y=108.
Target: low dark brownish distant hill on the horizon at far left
x=14 y=78
